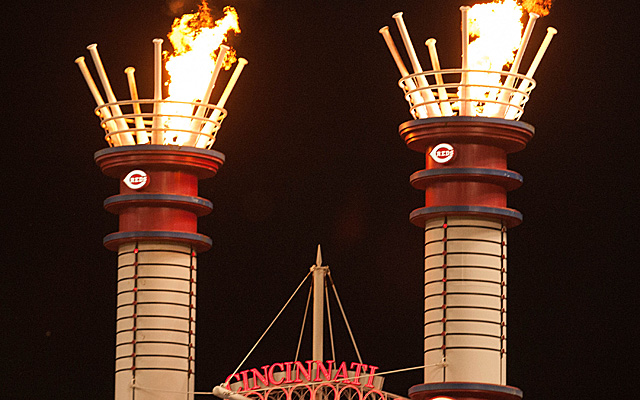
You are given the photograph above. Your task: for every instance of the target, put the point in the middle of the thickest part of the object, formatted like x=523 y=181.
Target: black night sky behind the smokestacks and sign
x=313 y=157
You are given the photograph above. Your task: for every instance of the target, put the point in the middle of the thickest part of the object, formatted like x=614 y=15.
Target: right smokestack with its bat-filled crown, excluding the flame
x=465 y=217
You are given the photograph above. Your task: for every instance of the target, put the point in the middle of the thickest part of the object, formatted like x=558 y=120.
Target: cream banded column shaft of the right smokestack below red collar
x=465 y=300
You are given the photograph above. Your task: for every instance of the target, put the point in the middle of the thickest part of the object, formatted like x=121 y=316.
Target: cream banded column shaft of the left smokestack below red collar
x=155 y=329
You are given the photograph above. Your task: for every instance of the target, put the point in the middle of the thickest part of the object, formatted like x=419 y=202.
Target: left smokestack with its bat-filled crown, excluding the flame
x=157 y=241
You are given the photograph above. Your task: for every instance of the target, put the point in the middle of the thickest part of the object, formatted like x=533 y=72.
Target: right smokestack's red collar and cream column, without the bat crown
x=465 y=220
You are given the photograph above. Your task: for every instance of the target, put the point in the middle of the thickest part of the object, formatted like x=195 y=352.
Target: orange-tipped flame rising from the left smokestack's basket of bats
x=196 y=39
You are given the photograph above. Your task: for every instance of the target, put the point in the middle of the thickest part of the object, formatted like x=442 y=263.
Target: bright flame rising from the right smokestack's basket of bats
x=495 y=31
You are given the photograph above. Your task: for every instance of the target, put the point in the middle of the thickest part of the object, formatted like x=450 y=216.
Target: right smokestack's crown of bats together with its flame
x=488 y=83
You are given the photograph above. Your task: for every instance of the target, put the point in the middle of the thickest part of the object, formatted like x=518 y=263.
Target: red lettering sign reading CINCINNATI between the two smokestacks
x=298 y=372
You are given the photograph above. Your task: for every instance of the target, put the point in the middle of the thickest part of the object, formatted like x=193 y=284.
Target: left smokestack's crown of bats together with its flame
x=185 y=117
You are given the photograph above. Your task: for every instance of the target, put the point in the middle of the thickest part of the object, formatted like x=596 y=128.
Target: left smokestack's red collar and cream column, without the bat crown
x=157 y=245
